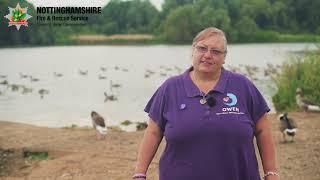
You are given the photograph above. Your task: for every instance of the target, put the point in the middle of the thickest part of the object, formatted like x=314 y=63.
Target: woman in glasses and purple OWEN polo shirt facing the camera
x=209 y=117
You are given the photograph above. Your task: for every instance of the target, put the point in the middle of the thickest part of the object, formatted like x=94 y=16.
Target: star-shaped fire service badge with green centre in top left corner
x=18 y=16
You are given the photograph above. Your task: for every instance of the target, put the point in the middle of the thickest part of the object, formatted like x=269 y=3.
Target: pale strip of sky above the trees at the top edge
x=55 y=3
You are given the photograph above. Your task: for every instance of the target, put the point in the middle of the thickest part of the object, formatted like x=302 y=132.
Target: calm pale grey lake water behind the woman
x=72 y=96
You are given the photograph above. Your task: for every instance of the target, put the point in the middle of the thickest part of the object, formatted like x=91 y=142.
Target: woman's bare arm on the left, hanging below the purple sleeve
x=148 y=147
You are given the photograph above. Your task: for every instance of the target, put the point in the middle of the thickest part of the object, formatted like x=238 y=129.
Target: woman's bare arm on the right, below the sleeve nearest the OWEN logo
x=266 y=147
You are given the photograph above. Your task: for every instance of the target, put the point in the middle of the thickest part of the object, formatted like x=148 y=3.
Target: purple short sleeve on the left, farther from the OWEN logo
x=156 y=107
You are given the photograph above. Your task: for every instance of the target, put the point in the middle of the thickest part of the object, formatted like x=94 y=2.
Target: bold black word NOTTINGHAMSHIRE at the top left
x=69 y=10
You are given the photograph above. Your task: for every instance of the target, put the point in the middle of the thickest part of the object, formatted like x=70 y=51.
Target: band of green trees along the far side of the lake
x=179 y=21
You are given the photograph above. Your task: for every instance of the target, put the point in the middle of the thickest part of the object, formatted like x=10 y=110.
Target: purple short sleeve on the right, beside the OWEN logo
x=257 y=105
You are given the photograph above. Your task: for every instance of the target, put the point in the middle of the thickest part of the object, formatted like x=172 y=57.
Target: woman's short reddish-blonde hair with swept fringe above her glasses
x=208 y=32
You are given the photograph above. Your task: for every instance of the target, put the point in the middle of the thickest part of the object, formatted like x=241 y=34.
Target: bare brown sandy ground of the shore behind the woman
x=74 y=153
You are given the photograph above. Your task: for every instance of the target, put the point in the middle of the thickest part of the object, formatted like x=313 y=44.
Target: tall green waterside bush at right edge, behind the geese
x=299 y=71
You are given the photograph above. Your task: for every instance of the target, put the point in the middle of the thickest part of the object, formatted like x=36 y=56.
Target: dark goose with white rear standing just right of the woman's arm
x=288 y=127
